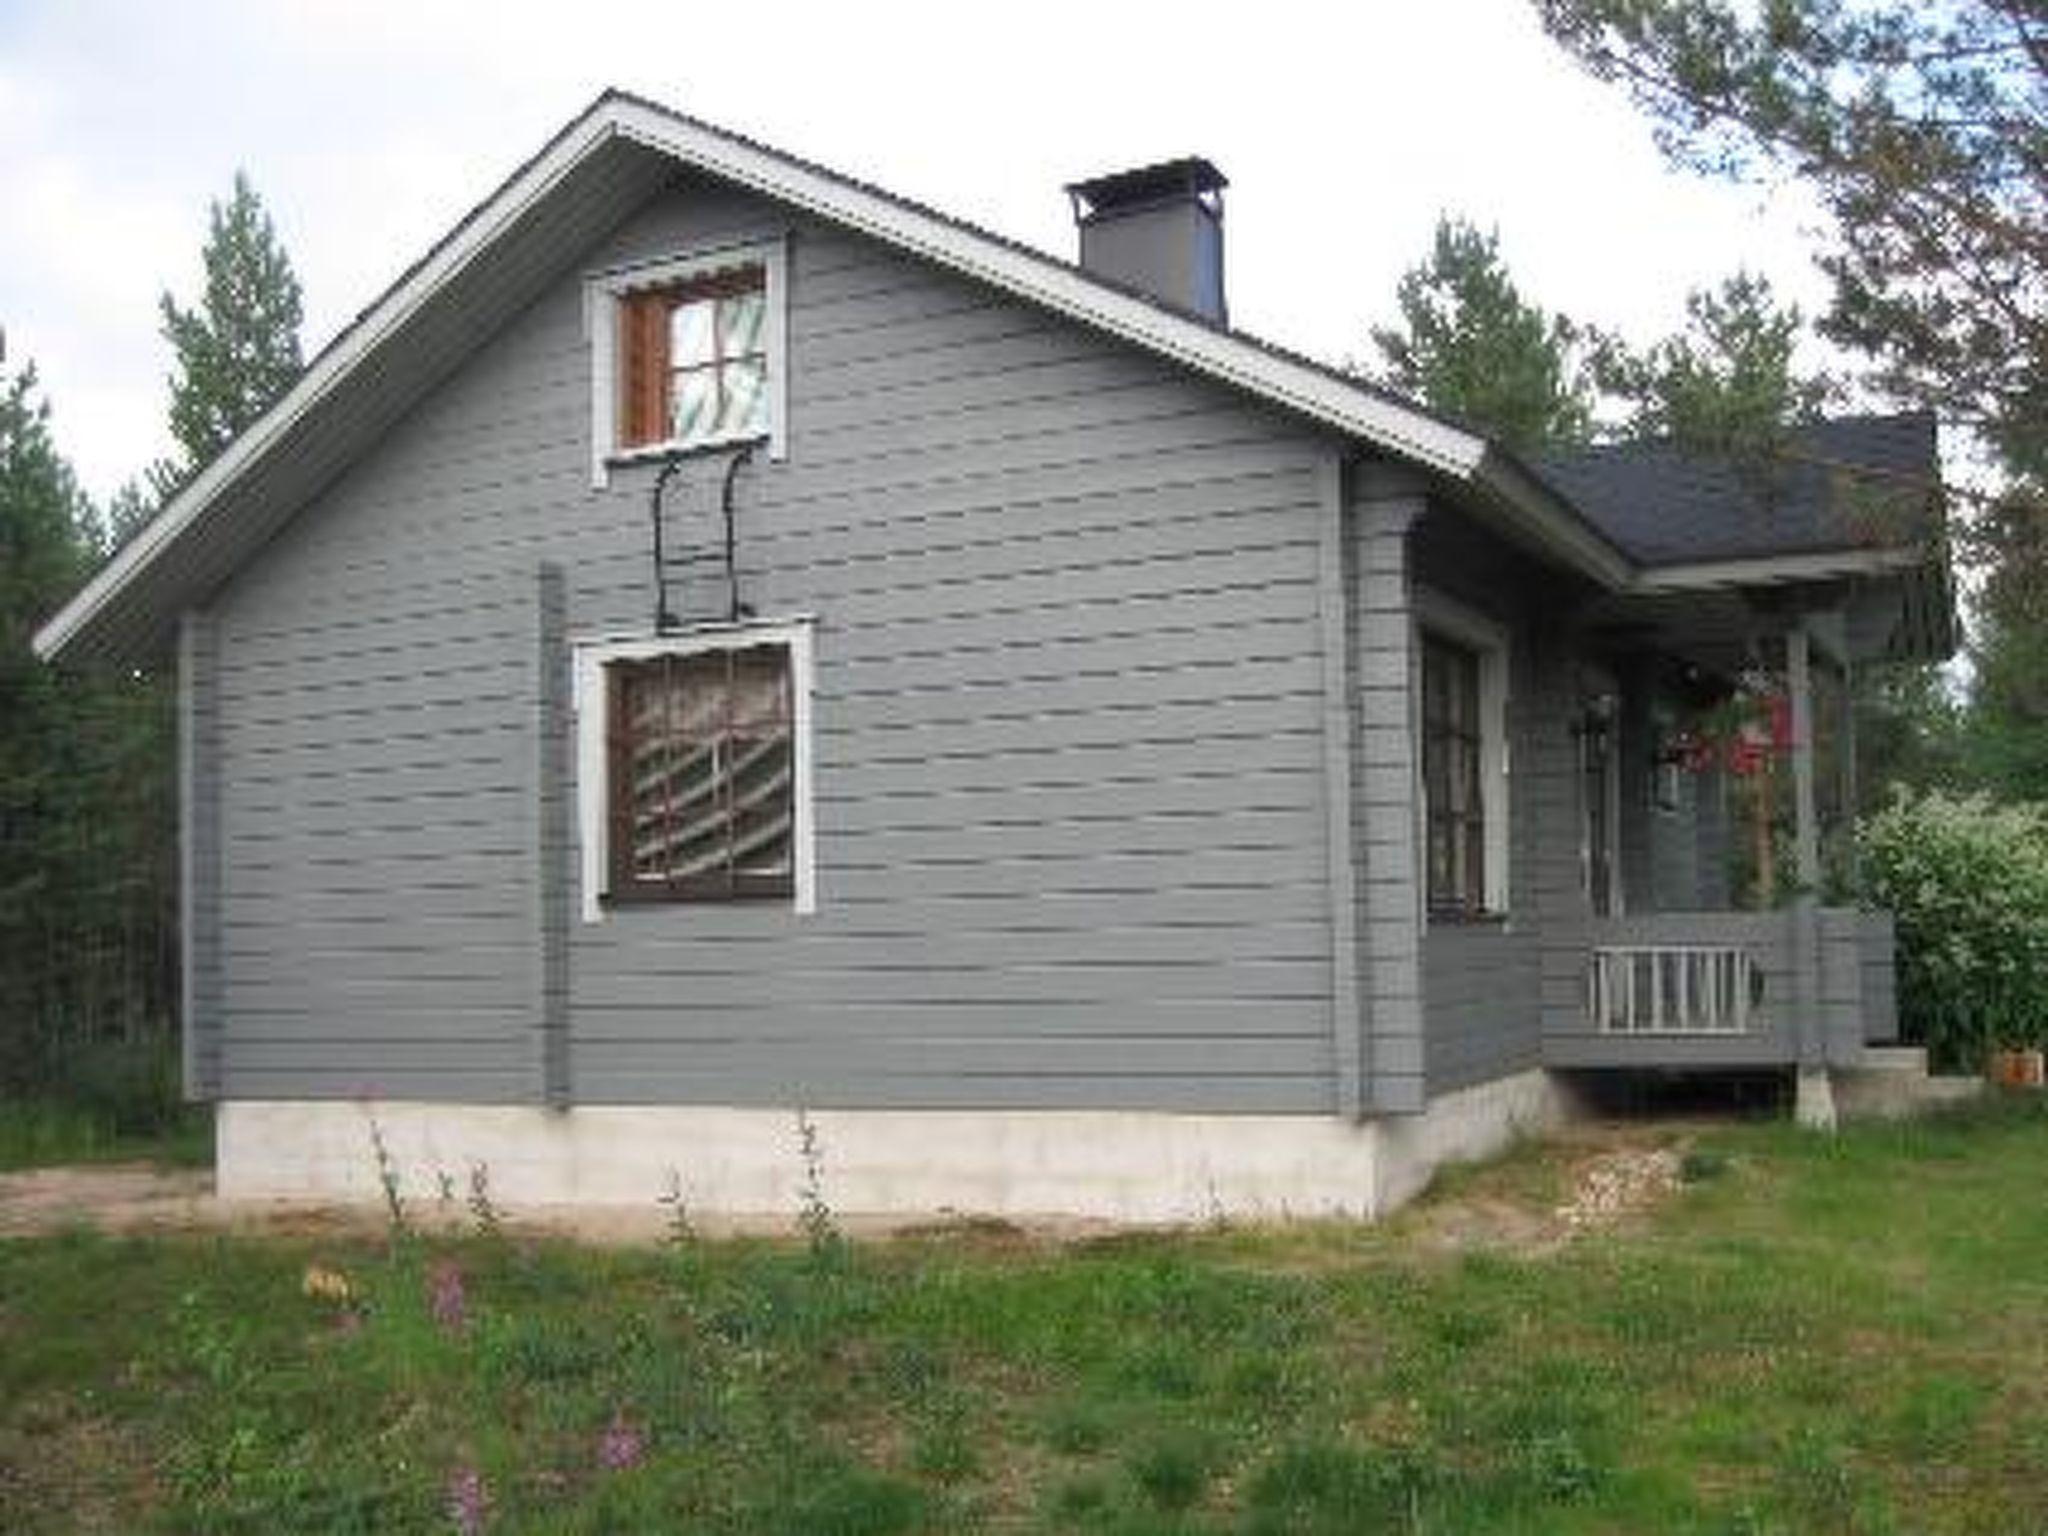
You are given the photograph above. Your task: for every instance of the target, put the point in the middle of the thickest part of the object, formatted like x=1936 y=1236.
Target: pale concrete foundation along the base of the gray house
x=746 y=1162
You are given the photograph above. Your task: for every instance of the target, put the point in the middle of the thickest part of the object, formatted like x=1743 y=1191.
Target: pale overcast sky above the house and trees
x=372 y=128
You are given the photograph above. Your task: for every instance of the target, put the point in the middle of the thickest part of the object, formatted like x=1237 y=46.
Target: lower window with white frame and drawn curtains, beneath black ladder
x=695 y=767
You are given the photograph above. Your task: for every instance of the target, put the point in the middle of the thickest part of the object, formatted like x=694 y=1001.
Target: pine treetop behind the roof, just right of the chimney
x=1474 y=347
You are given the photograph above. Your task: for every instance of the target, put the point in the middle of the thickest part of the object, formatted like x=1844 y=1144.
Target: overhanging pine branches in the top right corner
x=1924 y=130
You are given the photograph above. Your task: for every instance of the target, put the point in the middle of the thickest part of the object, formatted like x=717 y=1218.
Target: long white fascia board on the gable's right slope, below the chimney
x=1308 y=390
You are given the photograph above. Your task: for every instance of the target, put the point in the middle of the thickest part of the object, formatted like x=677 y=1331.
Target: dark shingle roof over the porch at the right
x=1857 y=482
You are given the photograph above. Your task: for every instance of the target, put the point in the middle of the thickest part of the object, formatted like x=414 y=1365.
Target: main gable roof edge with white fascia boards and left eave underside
x=513 y=245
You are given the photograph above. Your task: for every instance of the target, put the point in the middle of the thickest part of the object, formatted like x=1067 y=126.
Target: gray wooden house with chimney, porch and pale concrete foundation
x=1076 y=755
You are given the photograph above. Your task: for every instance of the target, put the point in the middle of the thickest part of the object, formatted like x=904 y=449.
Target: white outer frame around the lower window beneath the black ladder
x=593 y=761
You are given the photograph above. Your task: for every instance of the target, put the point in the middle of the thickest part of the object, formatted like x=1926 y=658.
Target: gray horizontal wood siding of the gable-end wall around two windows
x=1072 y=828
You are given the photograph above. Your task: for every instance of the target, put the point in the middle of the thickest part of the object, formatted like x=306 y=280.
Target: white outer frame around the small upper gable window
x=603 y=294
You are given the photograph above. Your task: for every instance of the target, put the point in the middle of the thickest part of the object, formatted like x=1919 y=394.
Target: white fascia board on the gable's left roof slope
x=329 y=370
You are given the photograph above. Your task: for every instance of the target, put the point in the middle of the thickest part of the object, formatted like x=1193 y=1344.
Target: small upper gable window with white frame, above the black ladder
x=689 y=355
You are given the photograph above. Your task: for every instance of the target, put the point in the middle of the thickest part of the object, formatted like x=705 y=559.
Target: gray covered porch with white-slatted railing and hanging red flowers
x=1668 y=978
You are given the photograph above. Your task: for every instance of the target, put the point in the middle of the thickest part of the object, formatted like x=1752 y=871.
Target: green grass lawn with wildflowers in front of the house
x=1811 y=1336
